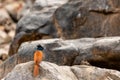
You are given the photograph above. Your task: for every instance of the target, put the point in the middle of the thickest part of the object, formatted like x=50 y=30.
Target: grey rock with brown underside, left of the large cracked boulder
x=37 y=24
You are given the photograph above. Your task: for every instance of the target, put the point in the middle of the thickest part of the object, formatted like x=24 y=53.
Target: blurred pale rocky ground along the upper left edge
x=10 y=13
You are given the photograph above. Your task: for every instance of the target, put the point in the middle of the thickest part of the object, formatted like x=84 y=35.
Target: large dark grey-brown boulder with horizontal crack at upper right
x=88 y=18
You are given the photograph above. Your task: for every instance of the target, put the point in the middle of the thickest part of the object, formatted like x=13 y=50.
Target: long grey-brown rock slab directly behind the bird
x=101 y=52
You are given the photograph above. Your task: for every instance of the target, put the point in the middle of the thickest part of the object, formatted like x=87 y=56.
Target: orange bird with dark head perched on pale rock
x=38 y=55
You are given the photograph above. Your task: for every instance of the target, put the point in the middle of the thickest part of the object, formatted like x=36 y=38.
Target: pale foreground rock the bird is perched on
x=50 y=71
